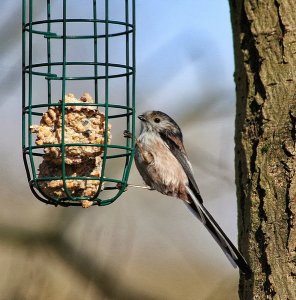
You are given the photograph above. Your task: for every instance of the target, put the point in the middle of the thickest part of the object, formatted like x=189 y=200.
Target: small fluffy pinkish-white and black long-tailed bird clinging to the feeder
x=162 y=162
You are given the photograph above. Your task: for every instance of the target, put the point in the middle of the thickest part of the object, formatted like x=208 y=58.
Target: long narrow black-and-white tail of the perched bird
x=232 y=253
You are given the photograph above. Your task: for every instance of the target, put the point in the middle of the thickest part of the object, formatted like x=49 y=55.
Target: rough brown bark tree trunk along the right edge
x=264 y=35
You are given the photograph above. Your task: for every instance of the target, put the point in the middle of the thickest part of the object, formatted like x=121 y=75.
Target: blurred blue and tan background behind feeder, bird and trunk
x=145 y=245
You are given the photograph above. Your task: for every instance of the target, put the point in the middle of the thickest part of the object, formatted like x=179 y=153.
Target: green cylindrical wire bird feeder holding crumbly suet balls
x=70 y=48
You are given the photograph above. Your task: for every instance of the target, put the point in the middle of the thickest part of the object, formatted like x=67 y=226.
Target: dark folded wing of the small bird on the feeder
x=176 y=146
